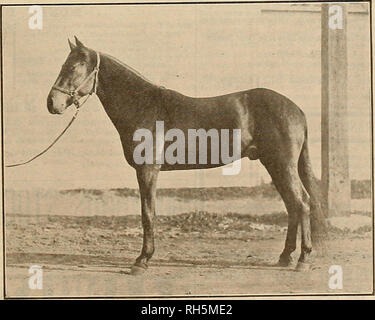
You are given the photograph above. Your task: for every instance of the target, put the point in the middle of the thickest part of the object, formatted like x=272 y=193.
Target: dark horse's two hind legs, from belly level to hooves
x=287 y=181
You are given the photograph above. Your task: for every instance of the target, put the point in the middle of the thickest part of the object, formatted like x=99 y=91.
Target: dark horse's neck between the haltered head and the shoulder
x=122 y=92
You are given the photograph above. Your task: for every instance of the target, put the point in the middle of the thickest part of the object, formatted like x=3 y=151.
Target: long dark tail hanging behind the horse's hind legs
x=317 y=217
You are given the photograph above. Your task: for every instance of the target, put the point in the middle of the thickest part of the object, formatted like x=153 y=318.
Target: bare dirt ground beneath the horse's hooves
x=197 y=254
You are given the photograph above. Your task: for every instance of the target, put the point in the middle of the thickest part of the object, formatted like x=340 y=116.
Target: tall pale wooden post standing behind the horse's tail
x=335 y=155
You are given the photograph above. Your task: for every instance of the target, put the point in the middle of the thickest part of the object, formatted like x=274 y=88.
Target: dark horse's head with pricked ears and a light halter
x=77 y=78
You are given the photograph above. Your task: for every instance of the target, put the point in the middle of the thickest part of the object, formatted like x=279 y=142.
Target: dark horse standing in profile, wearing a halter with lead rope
x=273 y=130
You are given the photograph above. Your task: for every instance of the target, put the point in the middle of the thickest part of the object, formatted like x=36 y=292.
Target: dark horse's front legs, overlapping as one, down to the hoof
x=147 y=177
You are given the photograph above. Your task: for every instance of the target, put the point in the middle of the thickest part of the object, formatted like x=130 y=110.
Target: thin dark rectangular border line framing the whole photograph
x=221 y=296
